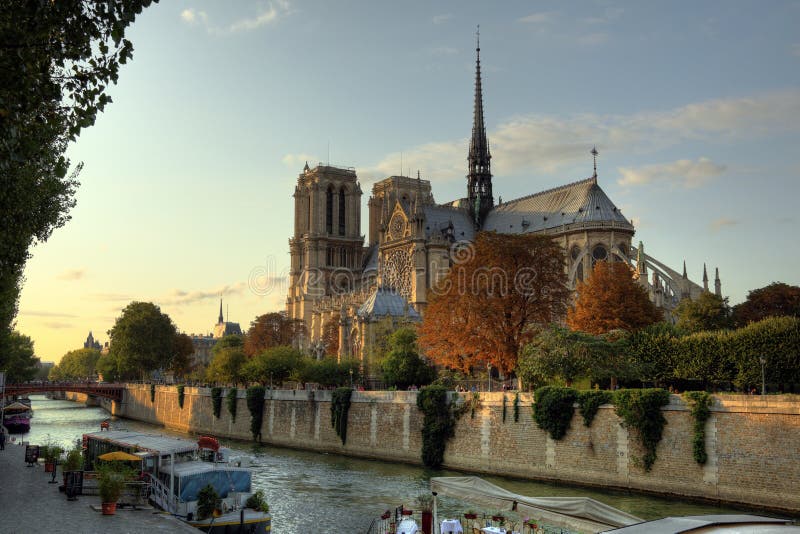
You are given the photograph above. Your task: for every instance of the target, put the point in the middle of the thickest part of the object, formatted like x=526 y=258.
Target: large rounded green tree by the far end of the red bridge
x=142 y=340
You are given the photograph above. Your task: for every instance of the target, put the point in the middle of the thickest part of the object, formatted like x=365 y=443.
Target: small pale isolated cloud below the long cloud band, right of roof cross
x=684 y=172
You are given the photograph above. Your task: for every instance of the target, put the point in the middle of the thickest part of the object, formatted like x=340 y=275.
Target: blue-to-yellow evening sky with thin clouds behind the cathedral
x=186 y=190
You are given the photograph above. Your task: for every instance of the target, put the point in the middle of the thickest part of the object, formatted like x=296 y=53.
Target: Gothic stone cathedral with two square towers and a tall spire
x=336 y=281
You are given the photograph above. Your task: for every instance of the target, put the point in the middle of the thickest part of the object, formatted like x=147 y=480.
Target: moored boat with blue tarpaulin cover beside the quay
x=176 y=470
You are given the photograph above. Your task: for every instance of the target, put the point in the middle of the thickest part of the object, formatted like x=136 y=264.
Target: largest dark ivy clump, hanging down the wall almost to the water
x=438 y=425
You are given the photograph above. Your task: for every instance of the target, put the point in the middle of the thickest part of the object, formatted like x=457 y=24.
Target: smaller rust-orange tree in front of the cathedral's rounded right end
x=611 y=300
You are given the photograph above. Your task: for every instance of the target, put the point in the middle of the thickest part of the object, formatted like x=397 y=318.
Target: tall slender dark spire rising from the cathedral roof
x=479 y=179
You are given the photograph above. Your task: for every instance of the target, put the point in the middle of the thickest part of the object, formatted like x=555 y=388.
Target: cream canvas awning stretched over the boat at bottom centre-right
x=578 y=513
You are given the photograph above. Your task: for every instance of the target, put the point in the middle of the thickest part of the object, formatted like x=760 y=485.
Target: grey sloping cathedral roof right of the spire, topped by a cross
x=582 y=202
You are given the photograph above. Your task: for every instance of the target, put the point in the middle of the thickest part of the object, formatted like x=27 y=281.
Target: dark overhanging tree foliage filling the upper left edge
x=56 y=61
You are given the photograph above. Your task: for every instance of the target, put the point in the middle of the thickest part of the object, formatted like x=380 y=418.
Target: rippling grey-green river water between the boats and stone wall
x=313 y=492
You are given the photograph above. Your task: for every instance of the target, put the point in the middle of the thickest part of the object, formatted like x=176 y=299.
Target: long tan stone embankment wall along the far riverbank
x=753 y=444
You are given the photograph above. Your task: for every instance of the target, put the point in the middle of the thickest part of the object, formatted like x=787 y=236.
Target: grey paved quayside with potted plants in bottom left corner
x=29 y=504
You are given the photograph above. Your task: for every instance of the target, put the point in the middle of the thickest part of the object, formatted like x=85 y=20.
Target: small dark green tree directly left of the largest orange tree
x=403 y=366
